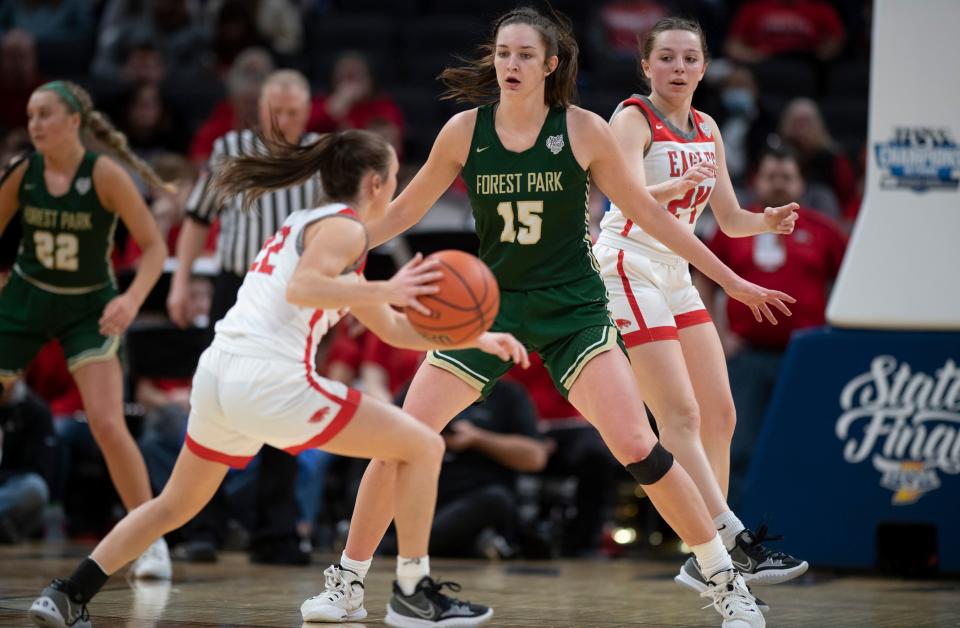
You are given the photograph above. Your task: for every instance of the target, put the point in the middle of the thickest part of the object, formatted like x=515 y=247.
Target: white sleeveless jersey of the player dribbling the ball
x=262 y=322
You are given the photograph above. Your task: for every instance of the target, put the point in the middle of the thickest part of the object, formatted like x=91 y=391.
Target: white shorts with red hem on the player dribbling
x=238 y=403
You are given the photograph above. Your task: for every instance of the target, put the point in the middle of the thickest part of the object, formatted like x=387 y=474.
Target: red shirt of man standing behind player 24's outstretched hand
x=802 y=264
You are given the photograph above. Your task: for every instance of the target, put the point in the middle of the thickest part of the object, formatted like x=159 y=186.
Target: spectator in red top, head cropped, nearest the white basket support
x=765 y=28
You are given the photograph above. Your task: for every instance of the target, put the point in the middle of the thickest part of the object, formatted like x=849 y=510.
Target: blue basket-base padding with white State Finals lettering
x=863 y=429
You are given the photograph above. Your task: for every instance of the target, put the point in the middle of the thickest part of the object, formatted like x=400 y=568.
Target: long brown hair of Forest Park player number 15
x=475 y=82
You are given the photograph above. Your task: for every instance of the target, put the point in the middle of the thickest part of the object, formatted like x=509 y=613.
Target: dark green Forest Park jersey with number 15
x=530 y=207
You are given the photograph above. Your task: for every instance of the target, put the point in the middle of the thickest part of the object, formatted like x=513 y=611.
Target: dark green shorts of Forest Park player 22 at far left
x=30 y=317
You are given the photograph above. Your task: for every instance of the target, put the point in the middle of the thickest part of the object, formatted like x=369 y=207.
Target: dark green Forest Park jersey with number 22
x=67 y=240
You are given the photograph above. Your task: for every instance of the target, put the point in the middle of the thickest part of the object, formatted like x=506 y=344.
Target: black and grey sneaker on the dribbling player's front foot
x=429 y=607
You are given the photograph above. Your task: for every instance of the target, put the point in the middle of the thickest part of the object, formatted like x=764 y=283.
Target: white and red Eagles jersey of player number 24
x=671 y=152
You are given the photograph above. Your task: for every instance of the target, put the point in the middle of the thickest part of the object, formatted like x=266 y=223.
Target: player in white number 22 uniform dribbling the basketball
x=257 y=383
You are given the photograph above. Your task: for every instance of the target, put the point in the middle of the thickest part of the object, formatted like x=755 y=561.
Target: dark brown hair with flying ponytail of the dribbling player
x=341 y=159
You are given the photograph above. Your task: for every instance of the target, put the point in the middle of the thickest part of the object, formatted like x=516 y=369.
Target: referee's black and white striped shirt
x=242 y=234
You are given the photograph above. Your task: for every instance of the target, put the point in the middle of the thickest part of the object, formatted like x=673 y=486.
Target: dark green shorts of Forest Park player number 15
x=568 y=325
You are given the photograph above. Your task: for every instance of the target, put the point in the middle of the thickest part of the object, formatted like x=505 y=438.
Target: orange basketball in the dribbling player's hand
x=466 y=304
